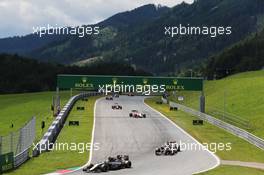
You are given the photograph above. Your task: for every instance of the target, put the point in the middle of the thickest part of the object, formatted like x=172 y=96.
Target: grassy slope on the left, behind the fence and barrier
x=20 y=108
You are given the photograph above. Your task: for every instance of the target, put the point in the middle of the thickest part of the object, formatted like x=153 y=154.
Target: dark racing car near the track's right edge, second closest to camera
x=169 y=148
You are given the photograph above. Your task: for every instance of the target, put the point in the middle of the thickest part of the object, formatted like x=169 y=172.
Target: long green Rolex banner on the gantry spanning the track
x=94 y=82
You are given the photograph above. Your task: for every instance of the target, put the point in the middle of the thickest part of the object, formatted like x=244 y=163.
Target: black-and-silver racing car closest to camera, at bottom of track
x=112 y=163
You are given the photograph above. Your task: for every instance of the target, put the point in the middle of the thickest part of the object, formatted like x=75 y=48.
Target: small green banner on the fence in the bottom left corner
x=6 y=162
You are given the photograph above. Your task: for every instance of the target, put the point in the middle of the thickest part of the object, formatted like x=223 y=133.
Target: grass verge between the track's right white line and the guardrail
x=241 y=150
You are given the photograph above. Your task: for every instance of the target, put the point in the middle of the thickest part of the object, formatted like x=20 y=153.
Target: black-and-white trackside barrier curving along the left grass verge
x=56 y=126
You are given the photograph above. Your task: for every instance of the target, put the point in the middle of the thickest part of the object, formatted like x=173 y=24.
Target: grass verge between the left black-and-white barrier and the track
x=63 y=159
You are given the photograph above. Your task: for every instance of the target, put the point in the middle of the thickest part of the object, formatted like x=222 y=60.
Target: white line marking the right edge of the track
x=216 y=157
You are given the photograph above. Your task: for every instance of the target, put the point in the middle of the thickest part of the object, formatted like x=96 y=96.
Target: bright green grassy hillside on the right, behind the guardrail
x=241 y=96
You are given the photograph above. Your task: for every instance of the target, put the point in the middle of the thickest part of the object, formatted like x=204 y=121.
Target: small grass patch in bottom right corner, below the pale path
x=233 y=170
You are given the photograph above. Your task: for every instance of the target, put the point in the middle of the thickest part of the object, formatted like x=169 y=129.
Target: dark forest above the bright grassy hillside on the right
x=247 y=55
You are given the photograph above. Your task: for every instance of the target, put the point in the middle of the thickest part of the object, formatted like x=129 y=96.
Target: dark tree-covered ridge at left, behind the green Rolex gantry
x=20 y=74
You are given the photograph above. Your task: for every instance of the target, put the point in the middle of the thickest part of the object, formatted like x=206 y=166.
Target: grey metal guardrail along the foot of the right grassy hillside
x=221 y=124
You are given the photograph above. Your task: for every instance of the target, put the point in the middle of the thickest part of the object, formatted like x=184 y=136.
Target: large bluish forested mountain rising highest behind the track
x=137 y=37
